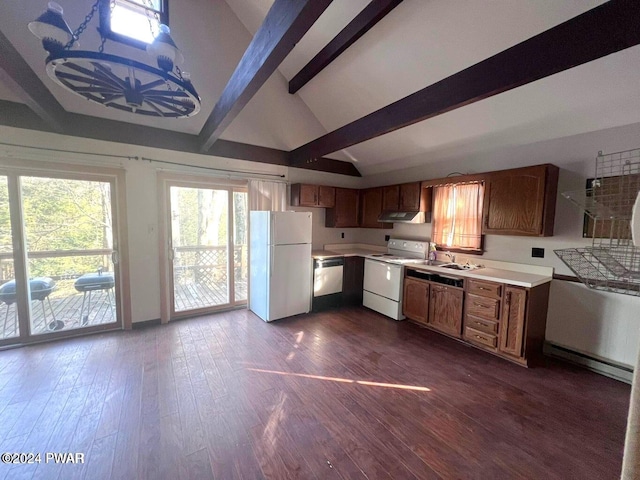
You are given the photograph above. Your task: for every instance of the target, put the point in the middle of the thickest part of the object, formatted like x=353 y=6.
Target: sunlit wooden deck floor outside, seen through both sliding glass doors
x=67 y=309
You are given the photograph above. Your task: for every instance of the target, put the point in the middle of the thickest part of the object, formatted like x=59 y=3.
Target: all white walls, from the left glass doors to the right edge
x=597 y=323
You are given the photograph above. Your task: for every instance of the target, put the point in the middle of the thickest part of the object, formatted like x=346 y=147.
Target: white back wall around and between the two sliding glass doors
x=142 y=198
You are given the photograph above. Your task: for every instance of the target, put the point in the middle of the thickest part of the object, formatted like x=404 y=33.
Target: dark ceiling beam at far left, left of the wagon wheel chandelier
x=18 y=77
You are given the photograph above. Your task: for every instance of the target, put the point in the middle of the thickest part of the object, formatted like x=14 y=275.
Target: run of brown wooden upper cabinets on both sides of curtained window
x=520 y=201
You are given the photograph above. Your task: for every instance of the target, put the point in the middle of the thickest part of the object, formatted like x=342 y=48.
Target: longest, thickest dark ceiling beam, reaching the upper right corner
x=606 y=29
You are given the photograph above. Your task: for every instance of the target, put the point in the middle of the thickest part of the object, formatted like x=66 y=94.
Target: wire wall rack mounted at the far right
x=612 y=262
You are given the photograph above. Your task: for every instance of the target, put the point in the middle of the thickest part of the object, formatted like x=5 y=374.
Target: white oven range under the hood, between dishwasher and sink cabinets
x=384 y=275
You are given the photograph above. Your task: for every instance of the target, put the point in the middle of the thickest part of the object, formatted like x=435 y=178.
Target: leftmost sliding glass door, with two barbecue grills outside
x=58 y=264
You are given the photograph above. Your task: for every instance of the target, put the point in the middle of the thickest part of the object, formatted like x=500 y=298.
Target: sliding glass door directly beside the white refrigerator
x=208 y=247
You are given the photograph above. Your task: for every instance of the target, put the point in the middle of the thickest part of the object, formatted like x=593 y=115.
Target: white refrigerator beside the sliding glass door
x=280 y=264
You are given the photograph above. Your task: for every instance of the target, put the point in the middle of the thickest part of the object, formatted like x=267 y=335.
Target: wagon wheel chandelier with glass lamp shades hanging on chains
x=114 y=81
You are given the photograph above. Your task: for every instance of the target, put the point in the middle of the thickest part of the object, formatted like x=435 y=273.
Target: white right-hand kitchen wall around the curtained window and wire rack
x=603 y=324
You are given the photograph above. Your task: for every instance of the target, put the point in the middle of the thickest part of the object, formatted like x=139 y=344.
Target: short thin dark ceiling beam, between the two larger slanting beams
x=361 y=24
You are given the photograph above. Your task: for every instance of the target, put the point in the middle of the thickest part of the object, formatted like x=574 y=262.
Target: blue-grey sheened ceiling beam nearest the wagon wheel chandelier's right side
x=285 y=24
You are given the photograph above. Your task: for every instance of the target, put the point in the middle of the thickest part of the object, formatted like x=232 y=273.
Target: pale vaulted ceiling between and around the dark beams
x=416 y=44
